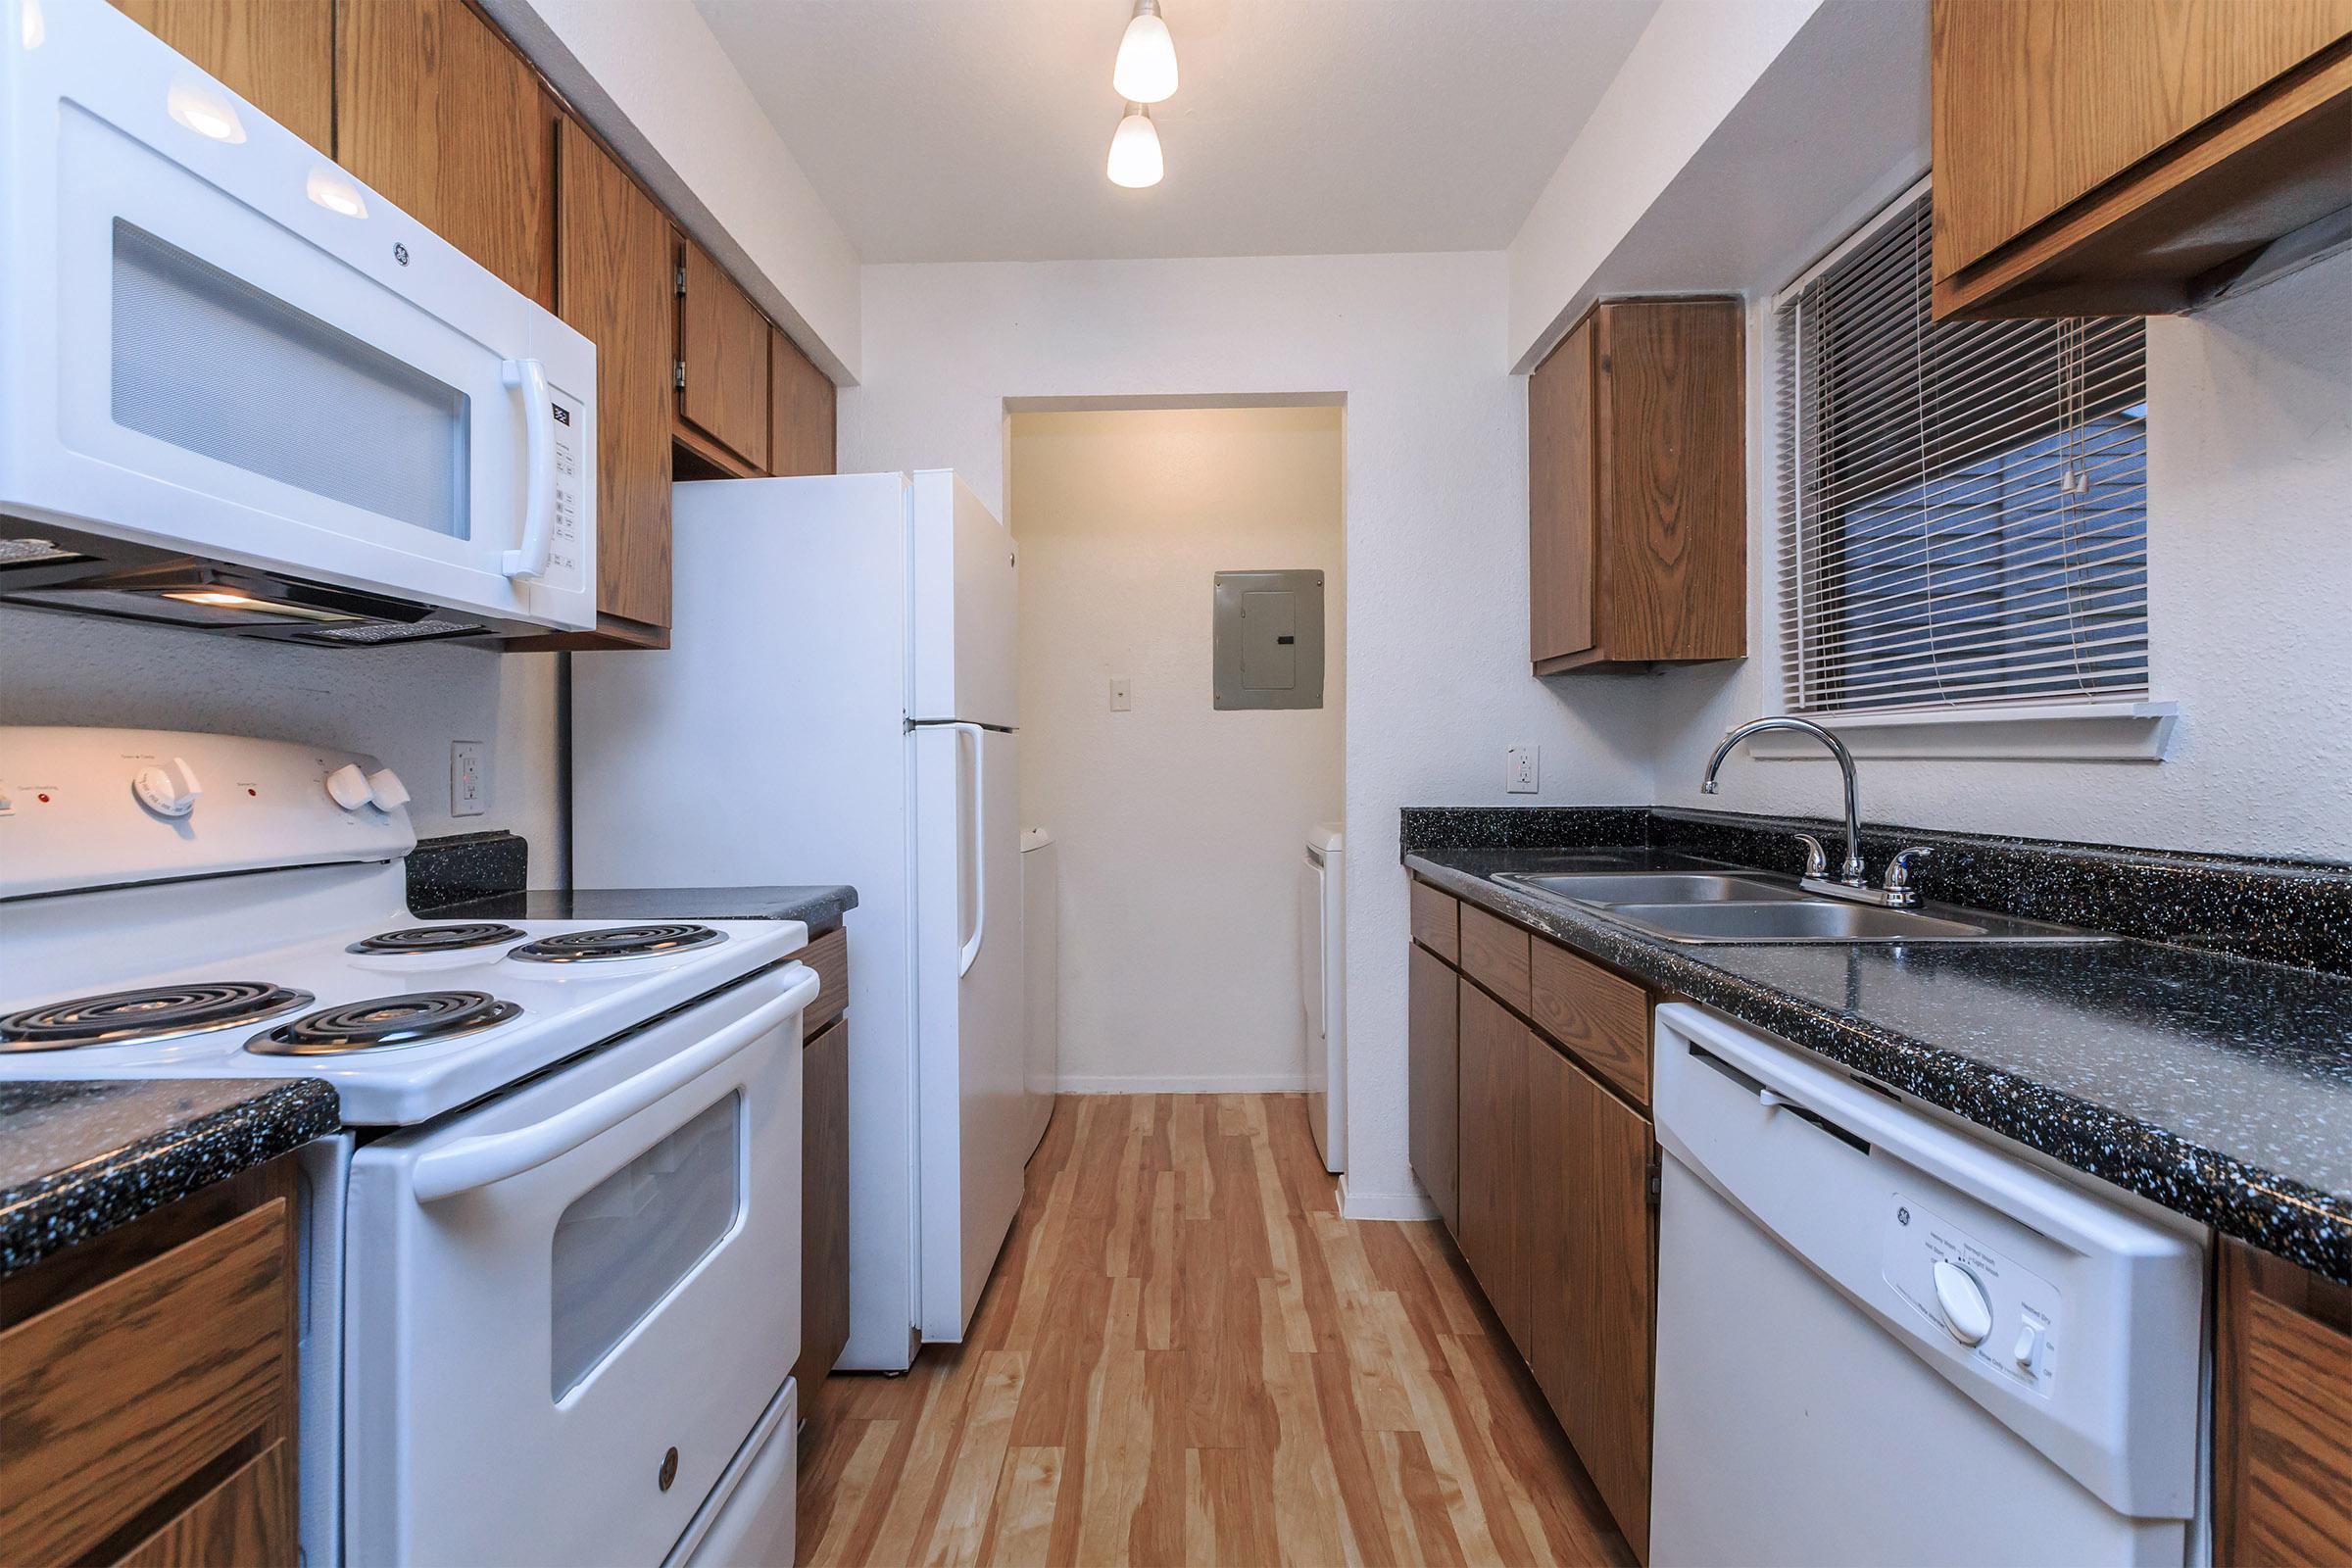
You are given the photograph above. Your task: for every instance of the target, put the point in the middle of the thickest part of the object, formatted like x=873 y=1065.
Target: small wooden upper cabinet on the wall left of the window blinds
x=1638 y=488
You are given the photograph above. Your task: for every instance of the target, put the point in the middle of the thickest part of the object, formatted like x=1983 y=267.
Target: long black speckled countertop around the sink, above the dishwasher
x=2212 y=1085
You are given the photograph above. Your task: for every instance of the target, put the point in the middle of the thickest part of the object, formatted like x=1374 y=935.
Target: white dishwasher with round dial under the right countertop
x=1883 y=1341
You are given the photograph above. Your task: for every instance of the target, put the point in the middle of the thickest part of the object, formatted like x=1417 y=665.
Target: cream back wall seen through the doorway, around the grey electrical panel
x=1180 y=826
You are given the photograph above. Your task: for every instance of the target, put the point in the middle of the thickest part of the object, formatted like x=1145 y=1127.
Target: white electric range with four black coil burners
x=552 y=1264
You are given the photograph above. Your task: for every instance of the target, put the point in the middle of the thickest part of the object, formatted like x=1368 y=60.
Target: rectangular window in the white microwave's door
x=220 y=368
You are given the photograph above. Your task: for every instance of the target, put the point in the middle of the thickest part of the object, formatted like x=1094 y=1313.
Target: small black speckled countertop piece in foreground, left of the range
x=81 y=1158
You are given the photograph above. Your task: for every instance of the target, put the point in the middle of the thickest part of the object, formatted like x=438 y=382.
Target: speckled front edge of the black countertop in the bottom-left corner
x=53 y=1214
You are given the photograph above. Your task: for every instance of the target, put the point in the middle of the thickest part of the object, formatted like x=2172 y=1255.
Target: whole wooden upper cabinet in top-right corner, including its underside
x=2130 y=156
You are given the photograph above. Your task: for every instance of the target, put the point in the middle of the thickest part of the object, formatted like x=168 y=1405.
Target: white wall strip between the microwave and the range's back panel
x=403 y=706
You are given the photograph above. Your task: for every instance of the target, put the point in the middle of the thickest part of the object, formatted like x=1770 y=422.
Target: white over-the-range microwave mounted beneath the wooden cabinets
x=241 y=391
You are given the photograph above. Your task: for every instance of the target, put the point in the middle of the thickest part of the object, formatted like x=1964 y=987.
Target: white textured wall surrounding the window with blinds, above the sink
x=2250 y=579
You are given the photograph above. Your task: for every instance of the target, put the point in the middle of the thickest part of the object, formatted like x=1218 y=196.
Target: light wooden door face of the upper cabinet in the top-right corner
x=2038 y=102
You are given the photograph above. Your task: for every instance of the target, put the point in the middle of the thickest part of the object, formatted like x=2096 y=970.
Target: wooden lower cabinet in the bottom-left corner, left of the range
x=149 y=1388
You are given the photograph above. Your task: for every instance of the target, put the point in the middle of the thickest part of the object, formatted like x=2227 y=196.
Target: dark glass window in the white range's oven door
x=627 y=1242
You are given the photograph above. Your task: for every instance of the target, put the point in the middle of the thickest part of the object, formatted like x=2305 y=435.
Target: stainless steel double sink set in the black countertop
x=1735 y=906
